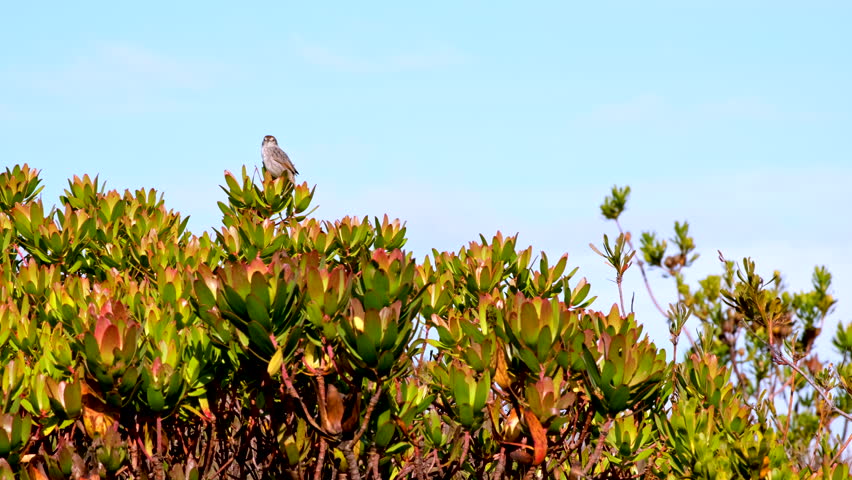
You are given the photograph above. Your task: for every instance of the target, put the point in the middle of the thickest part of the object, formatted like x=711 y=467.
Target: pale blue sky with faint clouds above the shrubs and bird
x=464 y=118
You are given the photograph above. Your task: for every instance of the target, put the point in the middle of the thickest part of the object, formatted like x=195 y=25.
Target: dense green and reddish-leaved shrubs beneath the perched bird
x=288 y=347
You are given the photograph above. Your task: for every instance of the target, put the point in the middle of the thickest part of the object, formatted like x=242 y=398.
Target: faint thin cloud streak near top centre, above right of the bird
x=431 y=58
